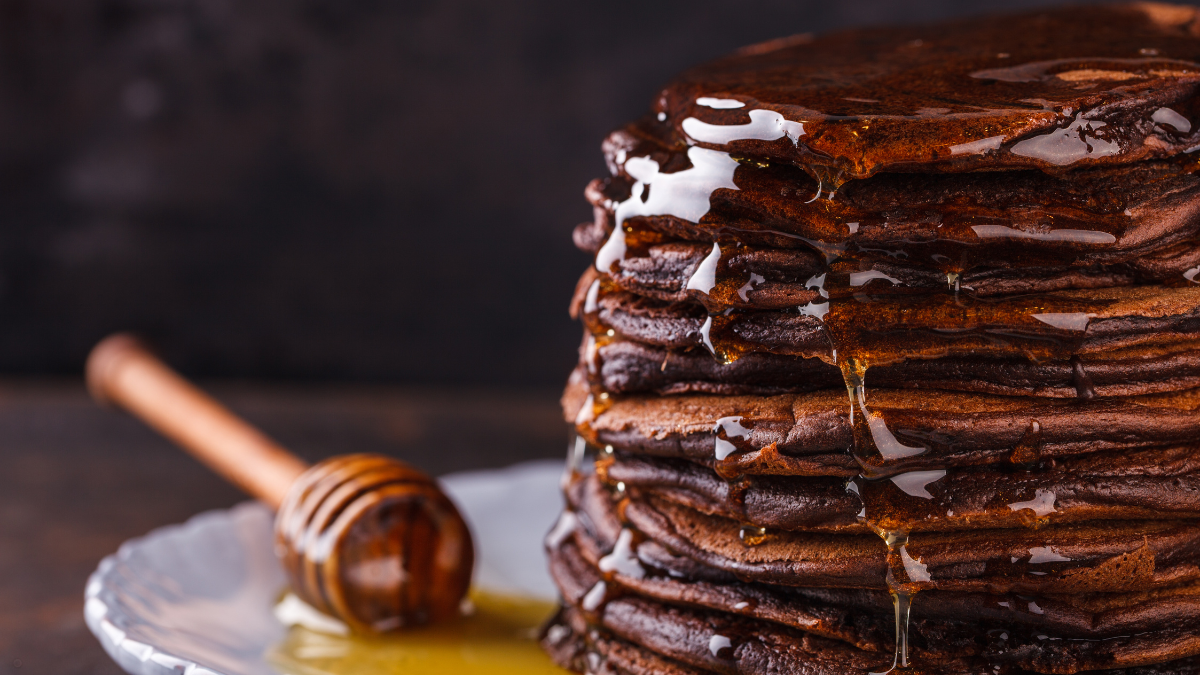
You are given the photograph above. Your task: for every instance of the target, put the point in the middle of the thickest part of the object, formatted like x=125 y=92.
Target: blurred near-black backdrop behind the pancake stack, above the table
x=332 y=189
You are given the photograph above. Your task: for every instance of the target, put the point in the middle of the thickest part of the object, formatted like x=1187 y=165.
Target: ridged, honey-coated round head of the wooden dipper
x=376 y=543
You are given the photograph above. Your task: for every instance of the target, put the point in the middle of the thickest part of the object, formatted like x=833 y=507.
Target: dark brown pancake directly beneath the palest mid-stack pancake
x=1129 y=486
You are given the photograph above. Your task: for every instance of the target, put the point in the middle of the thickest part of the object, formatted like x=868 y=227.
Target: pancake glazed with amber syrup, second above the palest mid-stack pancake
x=1043 y=327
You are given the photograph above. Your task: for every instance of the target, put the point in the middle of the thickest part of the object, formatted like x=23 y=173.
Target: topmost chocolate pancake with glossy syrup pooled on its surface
x=1065 y=88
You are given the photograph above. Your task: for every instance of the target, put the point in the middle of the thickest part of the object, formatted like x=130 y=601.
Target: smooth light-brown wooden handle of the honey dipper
x=123 y=372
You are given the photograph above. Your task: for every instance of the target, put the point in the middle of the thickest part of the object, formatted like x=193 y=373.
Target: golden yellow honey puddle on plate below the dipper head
x=499 y=638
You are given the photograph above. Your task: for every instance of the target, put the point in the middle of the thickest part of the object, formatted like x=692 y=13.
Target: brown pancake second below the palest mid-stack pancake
x=1071 y=559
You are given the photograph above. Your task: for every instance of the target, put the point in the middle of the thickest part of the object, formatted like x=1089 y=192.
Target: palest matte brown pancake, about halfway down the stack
x=809 y=434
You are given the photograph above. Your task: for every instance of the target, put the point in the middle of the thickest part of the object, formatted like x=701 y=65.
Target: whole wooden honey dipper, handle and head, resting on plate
x=367 y=539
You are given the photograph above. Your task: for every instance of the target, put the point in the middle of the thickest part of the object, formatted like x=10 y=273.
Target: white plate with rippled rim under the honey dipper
x=197 y=599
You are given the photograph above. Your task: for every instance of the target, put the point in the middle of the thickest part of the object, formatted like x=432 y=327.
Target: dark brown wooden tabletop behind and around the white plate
x=77 y=481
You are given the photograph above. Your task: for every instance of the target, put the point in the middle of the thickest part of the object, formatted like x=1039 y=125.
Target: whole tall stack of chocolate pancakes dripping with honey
x=892 y=360
